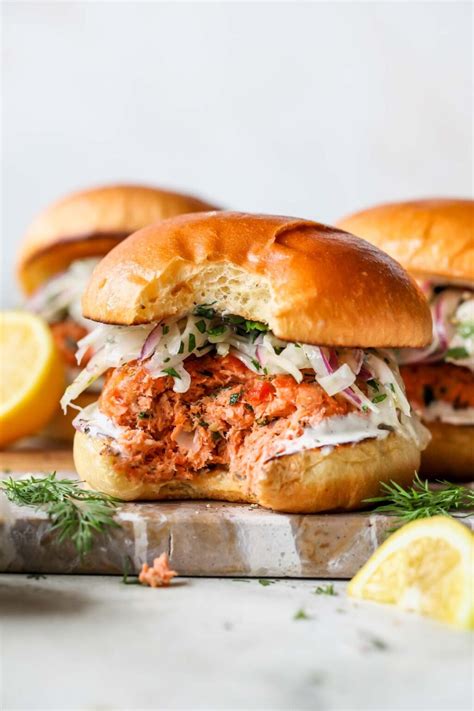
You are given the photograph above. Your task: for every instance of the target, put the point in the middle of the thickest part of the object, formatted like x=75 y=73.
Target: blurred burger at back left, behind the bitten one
x=66 y=241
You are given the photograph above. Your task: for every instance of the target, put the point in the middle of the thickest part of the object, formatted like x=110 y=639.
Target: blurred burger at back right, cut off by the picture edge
x=434 y=240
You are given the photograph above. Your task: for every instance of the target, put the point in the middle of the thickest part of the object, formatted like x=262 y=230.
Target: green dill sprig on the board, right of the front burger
x=422 y=501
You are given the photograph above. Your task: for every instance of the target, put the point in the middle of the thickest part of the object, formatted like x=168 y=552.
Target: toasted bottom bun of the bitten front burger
x=306 y=482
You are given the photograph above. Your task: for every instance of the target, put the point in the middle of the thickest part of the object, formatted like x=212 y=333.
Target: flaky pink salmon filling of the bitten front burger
x=229 y=416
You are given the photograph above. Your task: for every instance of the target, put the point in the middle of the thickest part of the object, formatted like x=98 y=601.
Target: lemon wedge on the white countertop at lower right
x=427 y=566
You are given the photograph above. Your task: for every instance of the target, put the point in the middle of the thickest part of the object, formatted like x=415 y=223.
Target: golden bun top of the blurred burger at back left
x=89 y=223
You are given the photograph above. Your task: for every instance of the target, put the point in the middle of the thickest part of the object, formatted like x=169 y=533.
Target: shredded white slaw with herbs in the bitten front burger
x=164 y=347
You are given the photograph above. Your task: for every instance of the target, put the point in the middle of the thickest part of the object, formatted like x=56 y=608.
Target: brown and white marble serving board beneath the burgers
x=201 y=538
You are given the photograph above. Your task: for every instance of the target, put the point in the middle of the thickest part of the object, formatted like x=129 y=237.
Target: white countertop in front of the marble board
x=94 y=643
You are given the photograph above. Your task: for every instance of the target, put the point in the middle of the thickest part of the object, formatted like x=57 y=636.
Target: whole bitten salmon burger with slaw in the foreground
x=246 y=360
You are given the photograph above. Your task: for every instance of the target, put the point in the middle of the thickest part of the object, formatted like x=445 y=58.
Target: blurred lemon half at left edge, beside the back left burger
x=31 y=375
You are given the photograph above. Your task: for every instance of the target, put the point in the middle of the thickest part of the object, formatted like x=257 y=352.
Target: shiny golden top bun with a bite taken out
x=308 y=282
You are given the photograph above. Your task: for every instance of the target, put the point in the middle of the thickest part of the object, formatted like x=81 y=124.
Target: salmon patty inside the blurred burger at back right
x=427 y=383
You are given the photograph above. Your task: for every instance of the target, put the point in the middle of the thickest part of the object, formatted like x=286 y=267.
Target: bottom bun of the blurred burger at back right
x=450 y=454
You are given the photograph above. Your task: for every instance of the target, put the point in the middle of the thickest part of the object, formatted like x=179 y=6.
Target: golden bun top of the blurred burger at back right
x=432 y=238
